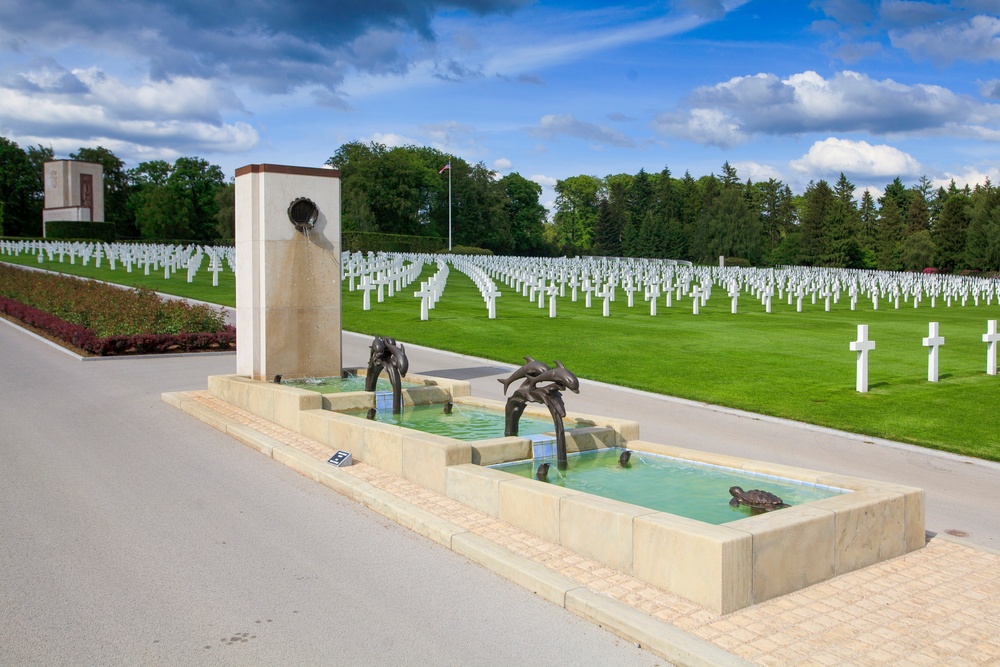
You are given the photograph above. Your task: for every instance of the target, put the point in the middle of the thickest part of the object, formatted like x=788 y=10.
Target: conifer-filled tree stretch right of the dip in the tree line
x=764 y=223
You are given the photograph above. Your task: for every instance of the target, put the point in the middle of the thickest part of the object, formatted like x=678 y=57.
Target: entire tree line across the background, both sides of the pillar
x=405 y=190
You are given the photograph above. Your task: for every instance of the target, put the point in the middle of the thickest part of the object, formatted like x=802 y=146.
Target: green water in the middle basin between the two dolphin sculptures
x=464 y=423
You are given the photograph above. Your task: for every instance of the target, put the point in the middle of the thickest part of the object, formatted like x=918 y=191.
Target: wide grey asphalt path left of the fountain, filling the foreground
x=133 y=534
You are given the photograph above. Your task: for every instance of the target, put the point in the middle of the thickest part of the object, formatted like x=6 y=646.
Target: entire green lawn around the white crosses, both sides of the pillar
x=787 y=364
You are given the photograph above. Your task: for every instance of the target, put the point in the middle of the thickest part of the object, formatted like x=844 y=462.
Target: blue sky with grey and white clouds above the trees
x=796 y=91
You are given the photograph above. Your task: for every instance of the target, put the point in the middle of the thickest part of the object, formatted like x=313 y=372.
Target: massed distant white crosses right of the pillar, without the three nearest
x=538 y=278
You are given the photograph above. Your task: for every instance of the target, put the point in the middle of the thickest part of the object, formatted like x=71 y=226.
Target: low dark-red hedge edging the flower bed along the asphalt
x=87 y=340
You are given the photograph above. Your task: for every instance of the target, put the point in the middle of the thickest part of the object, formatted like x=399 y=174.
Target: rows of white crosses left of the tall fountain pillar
x=173 y=258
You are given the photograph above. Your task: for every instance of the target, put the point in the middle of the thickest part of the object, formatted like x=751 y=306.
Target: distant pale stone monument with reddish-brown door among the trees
x=74 y=190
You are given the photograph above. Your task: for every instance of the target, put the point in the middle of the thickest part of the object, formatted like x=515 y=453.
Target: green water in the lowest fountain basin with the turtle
x=687 y=489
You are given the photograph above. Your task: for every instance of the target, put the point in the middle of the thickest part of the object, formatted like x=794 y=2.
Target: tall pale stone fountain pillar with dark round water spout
x=287 y=275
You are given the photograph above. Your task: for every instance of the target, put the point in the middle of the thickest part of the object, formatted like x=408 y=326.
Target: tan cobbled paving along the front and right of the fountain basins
x=936 y=606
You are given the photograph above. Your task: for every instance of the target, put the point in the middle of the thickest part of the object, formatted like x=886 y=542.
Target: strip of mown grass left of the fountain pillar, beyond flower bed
x=200 y=288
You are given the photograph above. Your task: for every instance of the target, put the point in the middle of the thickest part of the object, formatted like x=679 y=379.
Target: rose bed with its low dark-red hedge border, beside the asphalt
x=106 y=320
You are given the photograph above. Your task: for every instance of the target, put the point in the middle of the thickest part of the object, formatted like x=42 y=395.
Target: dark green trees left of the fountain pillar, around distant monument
x=188 y=199
